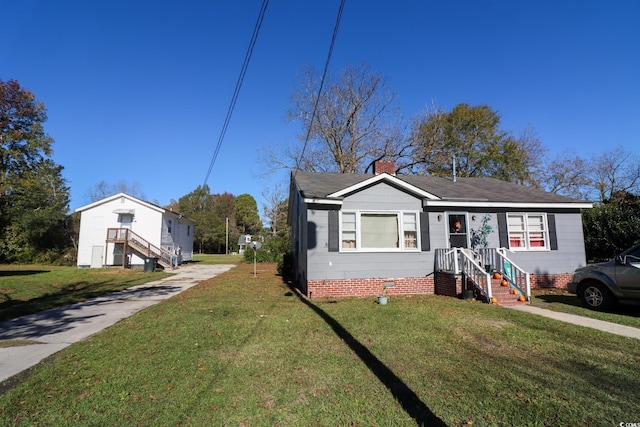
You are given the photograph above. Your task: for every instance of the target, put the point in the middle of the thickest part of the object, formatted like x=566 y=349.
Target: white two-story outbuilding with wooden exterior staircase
x=122 y=230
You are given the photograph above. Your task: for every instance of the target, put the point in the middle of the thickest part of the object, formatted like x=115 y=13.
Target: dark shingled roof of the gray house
x=323 y=185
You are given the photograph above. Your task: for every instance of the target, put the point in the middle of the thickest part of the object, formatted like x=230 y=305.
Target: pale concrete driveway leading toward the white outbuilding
x=60 y=327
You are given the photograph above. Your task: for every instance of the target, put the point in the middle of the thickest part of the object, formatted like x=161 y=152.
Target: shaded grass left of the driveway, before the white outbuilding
x=26 y=289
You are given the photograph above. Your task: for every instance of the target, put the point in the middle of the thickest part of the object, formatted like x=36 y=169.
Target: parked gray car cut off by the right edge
x=600 y=285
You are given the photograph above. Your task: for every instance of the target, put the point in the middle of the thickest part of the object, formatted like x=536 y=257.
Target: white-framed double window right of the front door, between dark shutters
x=528 y=231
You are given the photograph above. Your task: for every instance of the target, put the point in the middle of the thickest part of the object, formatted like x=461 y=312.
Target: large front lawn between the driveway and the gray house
x=240 y=350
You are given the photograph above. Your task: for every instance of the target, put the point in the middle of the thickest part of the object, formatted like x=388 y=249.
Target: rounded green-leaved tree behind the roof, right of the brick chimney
x=481 y=149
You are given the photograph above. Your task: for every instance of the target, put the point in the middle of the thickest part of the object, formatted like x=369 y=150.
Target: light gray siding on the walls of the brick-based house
x=315 y=262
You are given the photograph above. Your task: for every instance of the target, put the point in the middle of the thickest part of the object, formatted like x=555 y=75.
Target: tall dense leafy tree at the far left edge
x=34 y=197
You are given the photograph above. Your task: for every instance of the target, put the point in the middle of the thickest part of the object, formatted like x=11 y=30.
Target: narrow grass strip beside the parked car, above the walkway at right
x=561 y=300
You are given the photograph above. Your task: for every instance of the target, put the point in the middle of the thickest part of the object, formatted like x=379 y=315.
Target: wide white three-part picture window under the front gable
x=379 y=231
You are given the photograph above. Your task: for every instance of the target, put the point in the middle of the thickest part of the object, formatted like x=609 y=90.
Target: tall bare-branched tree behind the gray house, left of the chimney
x=355 y=122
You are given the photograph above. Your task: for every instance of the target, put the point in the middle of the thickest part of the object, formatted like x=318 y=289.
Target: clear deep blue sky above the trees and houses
x=138 y=90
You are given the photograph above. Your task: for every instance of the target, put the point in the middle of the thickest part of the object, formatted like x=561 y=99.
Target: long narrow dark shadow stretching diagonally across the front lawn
x=407 y=398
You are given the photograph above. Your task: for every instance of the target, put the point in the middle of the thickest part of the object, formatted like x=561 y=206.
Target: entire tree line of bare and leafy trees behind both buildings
x=354 y=122
